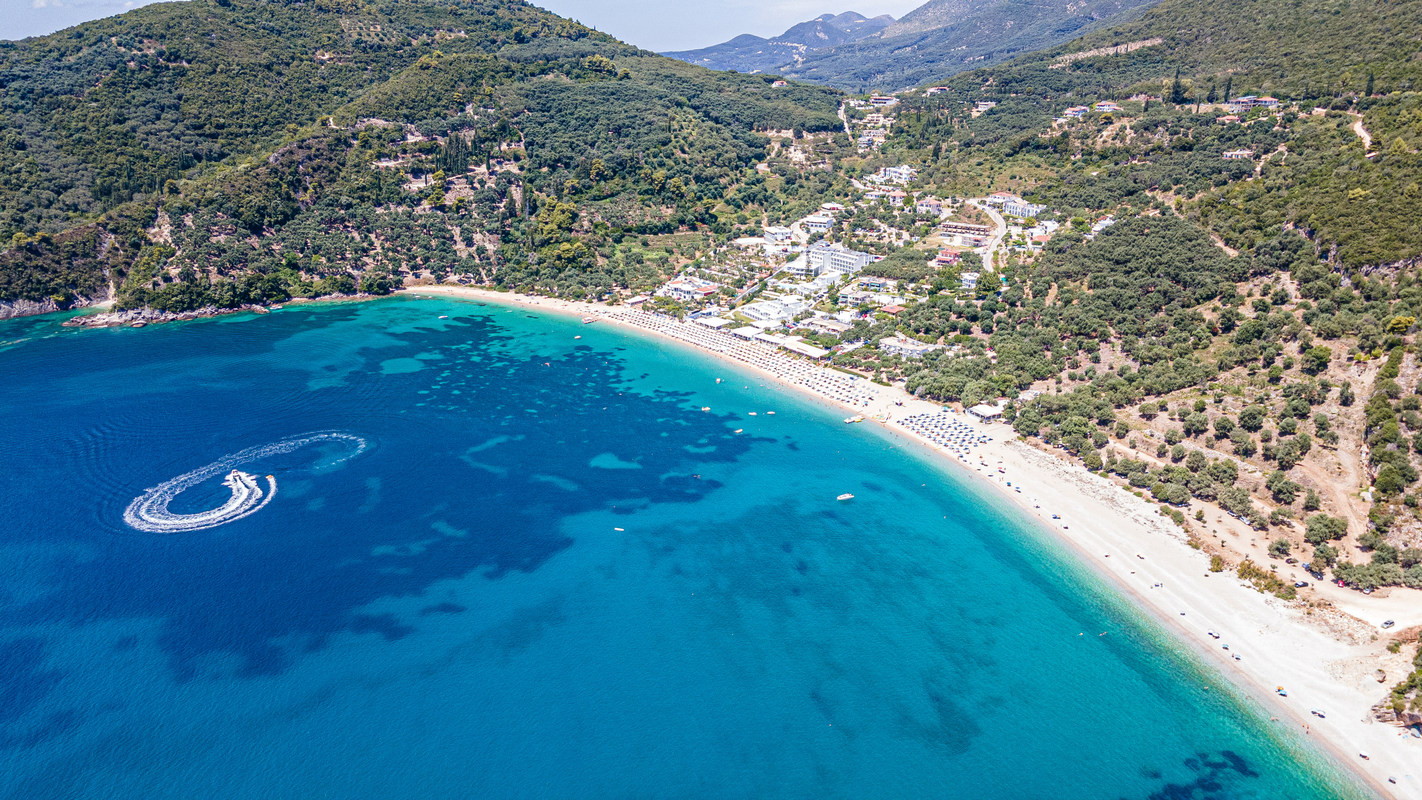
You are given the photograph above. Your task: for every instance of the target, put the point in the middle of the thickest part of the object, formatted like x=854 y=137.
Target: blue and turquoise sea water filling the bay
x=548 y=575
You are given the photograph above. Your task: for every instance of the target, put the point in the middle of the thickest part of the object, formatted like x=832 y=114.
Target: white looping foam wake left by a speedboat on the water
x=150 y=512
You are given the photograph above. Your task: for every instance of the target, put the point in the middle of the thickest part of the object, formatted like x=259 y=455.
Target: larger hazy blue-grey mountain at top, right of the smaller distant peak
x=945 y=38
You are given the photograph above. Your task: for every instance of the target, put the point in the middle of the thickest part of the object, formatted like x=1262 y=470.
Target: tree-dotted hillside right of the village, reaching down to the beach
x=1228 y=316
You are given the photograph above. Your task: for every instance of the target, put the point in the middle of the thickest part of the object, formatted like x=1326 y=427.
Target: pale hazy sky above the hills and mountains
x=653 y=25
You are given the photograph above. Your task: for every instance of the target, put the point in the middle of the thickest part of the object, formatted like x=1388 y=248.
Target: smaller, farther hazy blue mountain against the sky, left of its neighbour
x=750 y=53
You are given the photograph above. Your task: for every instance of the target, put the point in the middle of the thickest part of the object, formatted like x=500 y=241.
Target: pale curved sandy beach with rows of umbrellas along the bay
x=1123 y=539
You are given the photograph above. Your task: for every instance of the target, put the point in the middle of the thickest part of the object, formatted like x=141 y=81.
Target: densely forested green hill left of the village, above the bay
x=288 y=144
